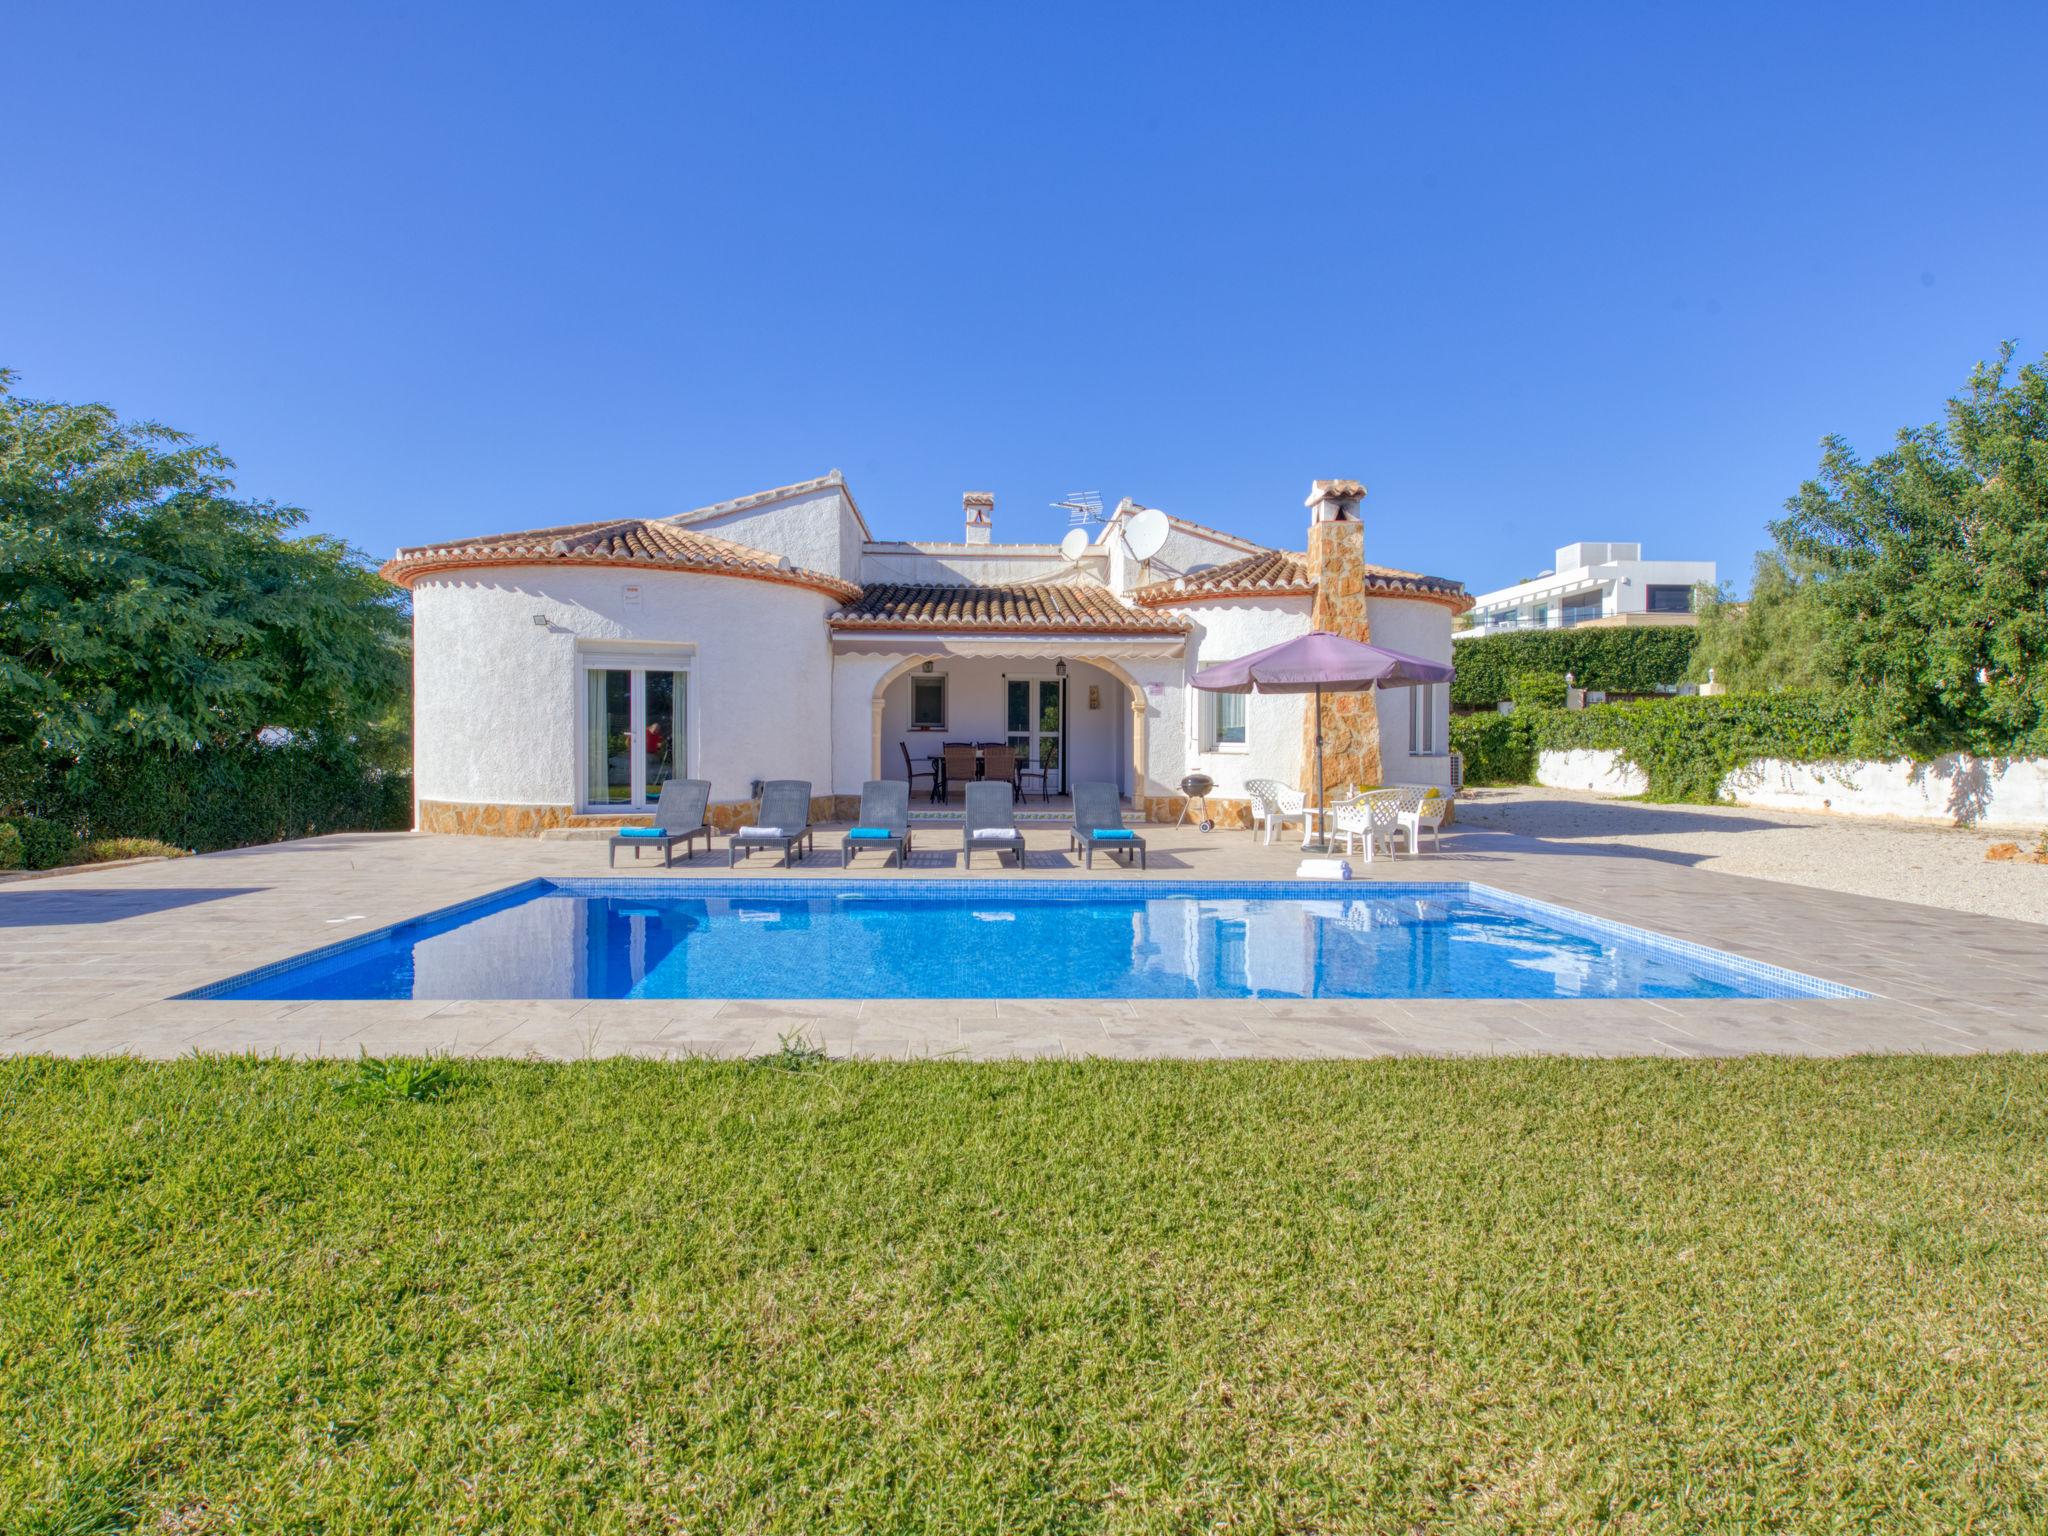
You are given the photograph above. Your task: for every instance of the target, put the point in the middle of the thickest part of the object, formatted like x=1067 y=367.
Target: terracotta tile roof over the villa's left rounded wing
x=617 y=542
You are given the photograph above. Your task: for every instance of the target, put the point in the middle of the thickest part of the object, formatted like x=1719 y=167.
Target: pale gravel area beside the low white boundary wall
x=1902 y=861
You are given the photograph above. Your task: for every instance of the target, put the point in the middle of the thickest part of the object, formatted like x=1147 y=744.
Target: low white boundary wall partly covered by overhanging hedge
x=1955 y=792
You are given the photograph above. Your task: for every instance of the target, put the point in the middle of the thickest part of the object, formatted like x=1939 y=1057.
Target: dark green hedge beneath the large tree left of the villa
x=218 y=800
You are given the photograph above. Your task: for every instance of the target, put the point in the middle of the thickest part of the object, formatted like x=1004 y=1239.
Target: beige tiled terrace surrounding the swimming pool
x=91 y=962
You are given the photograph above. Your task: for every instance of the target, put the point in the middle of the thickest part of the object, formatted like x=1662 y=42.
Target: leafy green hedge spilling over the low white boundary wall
x=1684 y=746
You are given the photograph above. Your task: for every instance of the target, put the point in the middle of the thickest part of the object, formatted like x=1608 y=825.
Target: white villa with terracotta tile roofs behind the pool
x=562 y=675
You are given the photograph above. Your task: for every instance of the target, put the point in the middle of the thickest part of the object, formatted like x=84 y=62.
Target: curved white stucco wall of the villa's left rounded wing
x=499 y=699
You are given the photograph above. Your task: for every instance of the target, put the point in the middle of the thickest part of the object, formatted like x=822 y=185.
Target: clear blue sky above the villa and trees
x=1531 y=273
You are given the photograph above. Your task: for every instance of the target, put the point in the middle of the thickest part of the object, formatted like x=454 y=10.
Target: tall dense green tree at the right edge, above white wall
x=1932 y=572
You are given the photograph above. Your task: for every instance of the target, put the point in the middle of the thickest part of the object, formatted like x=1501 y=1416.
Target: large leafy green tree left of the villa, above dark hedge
x=146 y=607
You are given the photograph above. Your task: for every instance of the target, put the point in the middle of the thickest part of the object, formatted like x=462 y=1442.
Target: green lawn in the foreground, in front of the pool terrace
x=1320 y=1297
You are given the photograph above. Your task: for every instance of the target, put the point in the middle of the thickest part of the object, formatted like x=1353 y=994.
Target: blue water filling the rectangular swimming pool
x=1011 y=939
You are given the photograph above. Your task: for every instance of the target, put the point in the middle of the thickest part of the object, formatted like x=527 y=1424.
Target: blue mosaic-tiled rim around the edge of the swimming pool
x=1572 y=921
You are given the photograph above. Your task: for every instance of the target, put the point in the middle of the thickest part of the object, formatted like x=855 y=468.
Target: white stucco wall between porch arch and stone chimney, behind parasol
x=1273 y=722
